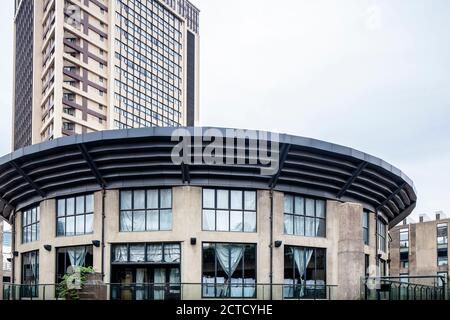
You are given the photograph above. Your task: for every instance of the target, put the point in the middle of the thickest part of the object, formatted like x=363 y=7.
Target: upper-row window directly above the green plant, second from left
x=75 y=216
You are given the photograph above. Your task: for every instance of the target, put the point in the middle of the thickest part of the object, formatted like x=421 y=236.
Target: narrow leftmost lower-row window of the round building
x=30 y=274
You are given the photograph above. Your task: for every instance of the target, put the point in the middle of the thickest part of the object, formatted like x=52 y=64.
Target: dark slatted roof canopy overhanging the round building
x=142 y=158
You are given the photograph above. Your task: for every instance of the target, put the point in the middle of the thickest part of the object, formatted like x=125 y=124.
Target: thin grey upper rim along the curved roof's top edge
x=319 y=146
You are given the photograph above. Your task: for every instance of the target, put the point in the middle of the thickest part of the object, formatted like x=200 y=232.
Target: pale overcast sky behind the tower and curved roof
x=372 y=75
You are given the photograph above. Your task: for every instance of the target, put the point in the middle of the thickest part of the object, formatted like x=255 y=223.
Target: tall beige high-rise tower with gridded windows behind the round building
x=90 y=65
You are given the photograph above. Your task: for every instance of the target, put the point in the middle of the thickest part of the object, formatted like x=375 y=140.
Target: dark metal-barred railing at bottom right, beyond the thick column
x=405 y=288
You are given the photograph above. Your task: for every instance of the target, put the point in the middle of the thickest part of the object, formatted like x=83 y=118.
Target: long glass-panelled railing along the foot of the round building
x=180 y=291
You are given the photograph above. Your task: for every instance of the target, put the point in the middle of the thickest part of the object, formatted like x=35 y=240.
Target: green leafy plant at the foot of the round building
x=72 y=282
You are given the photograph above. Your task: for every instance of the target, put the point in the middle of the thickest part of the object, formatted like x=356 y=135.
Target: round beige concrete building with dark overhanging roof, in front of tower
x=264 y=217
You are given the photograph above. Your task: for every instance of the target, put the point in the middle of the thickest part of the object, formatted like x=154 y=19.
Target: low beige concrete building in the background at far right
x=422 y=250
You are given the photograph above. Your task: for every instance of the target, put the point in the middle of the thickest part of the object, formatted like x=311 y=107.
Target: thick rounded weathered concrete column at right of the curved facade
x=350 y=249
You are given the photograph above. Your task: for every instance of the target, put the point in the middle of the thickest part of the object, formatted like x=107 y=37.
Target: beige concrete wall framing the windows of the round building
x=343 y=242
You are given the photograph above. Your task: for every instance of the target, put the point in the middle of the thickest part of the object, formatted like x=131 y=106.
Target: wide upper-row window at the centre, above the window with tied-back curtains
x=229 y=210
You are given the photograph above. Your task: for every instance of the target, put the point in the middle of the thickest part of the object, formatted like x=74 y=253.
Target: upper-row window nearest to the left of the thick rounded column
x=304 y=217
